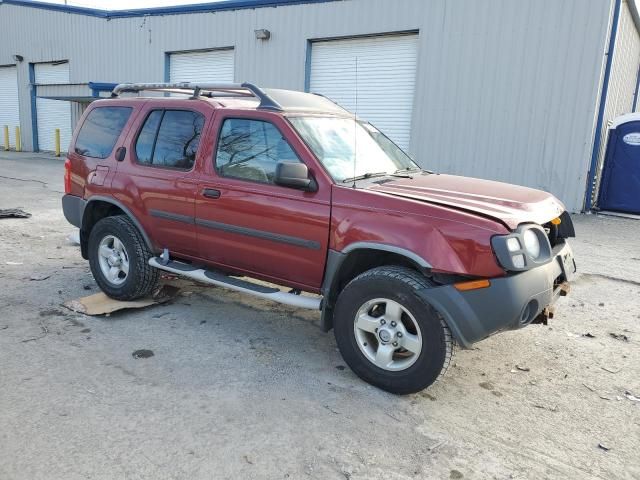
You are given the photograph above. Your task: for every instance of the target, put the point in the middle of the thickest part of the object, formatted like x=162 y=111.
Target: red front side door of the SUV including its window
x=244 y=220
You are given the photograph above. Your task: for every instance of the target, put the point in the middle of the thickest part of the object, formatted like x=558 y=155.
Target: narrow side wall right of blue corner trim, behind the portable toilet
x=622 y=86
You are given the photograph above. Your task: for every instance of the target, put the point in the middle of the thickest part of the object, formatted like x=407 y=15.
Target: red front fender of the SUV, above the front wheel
x=450 y=241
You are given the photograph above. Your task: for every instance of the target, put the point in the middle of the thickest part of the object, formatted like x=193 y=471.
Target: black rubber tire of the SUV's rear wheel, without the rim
x=142 y=278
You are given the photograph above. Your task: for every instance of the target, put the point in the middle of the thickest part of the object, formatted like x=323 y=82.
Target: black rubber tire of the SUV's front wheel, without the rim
x=398 y=284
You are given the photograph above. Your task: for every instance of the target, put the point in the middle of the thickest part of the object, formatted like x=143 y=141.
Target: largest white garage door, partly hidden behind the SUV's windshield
x=386 y=77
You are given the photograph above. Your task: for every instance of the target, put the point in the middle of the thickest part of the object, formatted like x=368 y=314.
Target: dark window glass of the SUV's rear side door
x=170 y=138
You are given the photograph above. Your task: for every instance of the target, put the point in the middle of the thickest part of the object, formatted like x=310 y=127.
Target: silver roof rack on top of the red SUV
x=209 y=90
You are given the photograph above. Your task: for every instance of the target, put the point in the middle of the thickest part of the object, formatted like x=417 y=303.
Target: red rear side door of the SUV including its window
x=159 y=176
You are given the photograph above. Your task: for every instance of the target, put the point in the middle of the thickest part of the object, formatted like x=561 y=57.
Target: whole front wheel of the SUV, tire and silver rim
x=388 y=335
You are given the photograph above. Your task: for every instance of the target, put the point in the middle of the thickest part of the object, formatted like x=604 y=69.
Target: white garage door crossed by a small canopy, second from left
x=52 y=114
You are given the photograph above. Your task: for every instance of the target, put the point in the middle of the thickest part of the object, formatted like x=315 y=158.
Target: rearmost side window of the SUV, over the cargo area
x=100 y=131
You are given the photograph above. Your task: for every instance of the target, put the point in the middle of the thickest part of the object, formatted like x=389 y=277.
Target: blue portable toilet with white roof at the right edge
x=620 y=183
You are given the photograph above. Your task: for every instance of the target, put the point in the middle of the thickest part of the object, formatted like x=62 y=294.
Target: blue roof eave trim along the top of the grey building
x=224 y=5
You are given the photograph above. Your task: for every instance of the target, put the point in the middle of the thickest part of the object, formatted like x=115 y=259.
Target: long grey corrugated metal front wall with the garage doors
x=505 y=90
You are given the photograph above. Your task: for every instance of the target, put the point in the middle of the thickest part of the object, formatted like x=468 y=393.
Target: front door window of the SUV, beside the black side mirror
x=251 y=150
